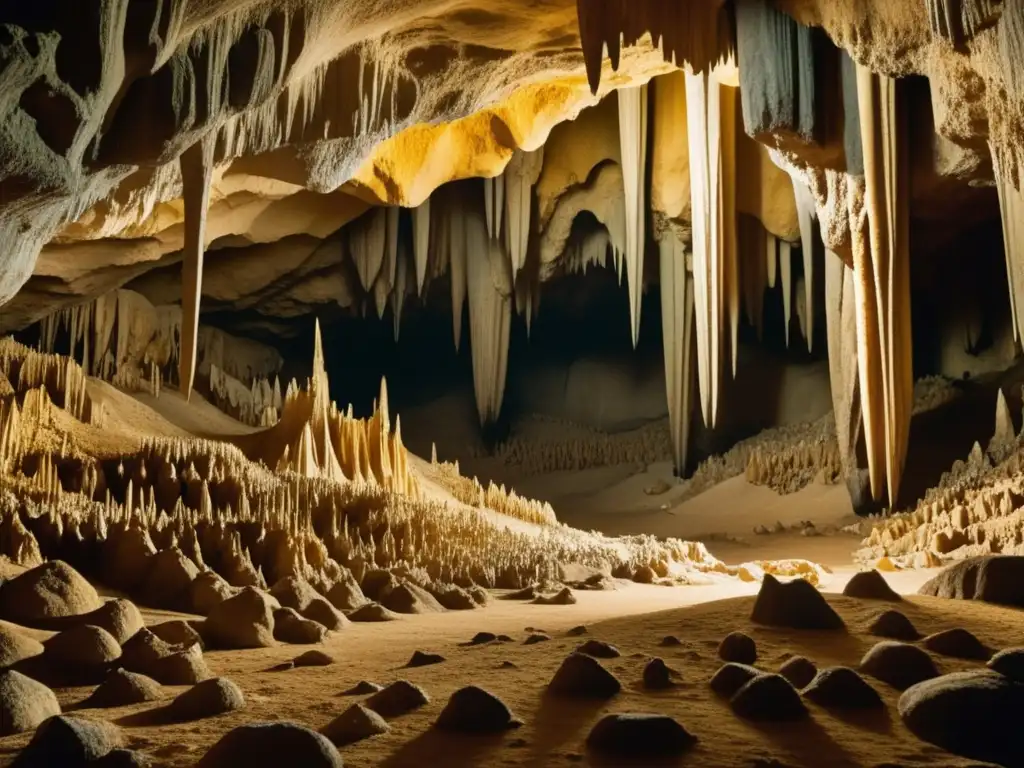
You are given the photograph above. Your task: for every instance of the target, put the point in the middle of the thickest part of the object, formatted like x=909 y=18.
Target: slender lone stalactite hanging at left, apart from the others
x=197 y=172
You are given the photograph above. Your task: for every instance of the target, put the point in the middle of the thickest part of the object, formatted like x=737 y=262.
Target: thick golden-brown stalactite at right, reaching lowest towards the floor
x=884 y=282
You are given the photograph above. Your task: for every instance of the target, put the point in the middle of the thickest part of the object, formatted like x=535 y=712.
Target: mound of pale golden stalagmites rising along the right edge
x=976 y=509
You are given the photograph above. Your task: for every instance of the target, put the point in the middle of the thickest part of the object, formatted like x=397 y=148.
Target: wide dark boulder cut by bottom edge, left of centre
x=272 y=746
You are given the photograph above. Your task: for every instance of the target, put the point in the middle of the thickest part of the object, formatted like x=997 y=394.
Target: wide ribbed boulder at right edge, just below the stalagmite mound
x=993 y=579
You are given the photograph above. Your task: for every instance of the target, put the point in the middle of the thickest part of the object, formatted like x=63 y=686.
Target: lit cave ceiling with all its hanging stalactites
x=297 y=157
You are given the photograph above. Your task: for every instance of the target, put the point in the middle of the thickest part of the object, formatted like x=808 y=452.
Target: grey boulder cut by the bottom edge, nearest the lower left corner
x=69 y=742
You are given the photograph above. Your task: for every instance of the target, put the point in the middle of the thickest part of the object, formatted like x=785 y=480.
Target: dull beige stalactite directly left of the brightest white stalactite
x=677 y=334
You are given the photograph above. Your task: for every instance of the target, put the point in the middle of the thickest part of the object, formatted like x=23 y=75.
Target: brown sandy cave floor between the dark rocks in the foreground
x=634 y=619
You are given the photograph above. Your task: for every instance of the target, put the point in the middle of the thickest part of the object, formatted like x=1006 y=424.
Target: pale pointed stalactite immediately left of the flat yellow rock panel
x=633 y=146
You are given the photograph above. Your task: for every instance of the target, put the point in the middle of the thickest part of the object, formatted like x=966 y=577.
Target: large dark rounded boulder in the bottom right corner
x=975 y=714
